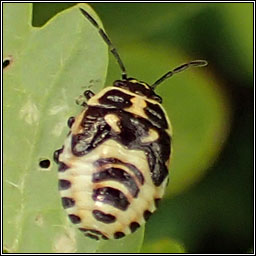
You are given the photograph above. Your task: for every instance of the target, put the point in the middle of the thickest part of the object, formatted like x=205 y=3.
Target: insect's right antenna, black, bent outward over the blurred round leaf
x=194 y=63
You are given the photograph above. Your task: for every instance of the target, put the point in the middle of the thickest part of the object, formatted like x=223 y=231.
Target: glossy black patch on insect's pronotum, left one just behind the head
x=116 y=99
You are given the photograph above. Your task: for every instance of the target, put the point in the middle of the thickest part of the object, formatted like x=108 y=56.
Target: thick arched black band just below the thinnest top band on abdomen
x=119 y=175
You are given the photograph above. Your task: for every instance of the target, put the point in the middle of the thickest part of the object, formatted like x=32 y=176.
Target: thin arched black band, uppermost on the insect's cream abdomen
x=103 y=161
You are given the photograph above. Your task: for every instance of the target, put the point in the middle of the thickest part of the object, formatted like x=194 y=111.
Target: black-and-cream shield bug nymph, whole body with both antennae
x=113 y=166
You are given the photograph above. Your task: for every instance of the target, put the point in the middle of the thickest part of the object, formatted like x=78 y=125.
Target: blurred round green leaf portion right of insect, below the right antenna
x=199 y=112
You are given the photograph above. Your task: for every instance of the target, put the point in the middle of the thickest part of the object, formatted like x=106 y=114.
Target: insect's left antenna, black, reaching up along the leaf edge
x=108 y=42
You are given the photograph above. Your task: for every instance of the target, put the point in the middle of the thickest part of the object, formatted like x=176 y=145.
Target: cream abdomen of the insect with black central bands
x=116 y=201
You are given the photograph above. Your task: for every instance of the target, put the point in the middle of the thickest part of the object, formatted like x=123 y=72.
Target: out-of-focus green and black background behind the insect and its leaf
x=208 y=207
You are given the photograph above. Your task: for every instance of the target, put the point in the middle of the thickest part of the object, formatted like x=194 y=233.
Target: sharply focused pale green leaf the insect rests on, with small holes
x=49 y=68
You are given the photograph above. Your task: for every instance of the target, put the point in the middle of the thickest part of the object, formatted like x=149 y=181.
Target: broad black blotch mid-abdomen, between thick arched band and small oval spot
x=112 y=197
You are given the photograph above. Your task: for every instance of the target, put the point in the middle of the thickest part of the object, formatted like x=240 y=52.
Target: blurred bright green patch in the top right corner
x=238 y=31
